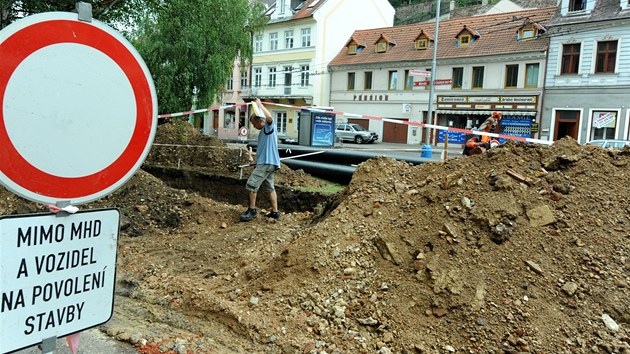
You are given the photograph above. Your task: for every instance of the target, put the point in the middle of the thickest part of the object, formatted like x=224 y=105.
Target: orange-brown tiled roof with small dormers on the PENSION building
x=496 y=36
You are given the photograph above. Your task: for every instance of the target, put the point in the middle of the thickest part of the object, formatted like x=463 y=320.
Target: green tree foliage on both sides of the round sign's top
x=185 y=43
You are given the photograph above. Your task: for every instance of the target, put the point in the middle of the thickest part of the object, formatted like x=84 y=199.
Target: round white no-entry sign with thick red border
x=78 y=109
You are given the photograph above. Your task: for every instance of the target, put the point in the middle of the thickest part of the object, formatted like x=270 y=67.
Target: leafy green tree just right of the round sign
x=194 y=43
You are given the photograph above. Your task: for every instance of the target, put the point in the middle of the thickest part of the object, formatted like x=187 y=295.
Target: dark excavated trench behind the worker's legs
x=232 y=191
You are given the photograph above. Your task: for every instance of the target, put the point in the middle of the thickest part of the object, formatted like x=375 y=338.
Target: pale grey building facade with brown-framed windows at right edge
x=588 y=78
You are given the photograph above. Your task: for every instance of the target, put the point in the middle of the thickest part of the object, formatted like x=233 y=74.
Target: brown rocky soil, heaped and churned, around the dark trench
x=523 y=249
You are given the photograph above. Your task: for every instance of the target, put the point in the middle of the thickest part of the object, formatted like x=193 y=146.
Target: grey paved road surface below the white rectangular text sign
x=92 y=341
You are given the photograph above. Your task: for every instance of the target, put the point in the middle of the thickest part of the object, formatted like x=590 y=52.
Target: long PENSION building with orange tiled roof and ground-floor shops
x=484 y=63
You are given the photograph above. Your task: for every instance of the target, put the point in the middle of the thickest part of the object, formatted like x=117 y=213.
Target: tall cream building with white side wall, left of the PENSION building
x=292 y=53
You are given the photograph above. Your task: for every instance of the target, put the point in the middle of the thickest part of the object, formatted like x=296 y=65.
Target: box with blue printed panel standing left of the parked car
x=317 y=127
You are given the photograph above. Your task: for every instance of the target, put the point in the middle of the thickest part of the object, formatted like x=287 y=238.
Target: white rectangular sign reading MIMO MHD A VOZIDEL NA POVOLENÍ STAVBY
x=57 y=274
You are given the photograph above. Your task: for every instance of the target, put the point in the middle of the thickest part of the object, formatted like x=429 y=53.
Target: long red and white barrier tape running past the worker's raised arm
x=415 y=124
